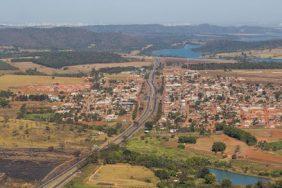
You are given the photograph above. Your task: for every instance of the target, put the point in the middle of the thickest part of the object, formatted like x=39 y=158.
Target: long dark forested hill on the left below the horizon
x=67 y=38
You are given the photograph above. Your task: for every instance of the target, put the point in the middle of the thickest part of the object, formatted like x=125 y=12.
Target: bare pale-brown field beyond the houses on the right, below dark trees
x=256 y=76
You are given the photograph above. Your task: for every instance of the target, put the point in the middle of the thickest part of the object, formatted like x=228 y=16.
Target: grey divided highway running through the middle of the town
x=65 y=176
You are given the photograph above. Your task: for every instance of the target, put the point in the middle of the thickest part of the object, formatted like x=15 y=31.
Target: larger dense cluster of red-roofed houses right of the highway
x=190 y=98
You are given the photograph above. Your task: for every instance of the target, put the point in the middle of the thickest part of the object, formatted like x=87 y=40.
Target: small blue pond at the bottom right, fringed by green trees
x=237 y=179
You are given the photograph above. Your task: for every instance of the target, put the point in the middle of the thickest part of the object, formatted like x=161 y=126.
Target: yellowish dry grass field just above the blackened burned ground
x=30 y=134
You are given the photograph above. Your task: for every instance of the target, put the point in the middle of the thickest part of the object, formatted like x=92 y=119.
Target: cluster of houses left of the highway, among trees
x=113 y=99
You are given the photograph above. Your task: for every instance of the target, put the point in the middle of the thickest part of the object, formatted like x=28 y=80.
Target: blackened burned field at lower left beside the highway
x=29 y=165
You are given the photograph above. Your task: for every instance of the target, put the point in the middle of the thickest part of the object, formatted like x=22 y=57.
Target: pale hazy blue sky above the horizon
x=223 y=12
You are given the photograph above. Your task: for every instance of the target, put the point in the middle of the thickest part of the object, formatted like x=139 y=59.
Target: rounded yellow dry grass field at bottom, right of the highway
x=123 y=176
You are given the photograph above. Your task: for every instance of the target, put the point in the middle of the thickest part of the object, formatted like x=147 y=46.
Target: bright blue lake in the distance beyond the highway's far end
x=186 y=52
